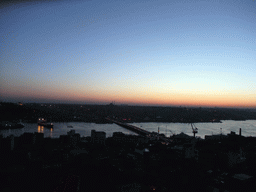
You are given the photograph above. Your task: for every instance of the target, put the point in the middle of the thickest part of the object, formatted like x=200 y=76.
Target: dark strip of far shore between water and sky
x=97 y=113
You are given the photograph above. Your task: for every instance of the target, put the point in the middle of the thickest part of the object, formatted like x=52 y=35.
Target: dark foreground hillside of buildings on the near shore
x=127 y=163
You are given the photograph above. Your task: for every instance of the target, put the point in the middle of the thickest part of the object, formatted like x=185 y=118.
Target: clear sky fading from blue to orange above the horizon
x=178 y=52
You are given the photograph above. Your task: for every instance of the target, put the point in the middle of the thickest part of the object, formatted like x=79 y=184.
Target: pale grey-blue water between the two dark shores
x=84 y=129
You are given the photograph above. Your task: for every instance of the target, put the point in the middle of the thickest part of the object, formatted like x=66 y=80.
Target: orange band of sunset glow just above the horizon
x=218 y=99
